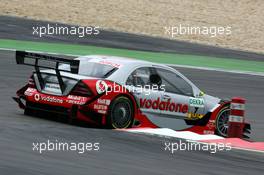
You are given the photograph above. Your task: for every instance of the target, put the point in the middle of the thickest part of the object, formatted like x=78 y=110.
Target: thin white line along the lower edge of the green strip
x=176 y=65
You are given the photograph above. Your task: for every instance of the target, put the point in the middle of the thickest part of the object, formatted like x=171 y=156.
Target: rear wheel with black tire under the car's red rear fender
x=120 y=113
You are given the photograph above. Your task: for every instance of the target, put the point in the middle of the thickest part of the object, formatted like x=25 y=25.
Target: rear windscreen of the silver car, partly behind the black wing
x=93 y=69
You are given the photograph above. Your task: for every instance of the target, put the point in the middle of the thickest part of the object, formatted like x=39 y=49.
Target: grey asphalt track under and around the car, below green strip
x=120 y=152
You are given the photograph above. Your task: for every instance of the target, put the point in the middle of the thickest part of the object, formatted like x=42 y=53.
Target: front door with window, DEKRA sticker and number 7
x=177 y=94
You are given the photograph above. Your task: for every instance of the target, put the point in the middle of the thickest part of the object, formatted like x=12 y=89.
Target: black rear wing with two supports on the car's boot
x=35 y=60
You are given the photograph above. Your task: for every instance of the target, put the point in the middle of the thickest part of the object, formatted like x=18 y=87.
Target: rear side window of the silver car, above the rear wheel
x=140 y=77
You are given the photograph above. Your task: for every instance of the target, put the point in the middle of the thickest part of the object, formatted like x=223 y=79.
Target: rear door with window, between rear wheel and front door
x=139 y=84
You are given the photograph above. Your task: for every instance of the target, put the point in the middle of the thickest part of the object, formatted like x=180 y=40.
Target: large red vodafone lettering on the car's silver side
x=163 y=105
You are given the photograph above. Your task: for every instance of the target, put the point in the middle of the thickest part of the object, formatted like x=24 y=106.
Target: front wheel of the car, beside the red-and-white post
x=221 y=122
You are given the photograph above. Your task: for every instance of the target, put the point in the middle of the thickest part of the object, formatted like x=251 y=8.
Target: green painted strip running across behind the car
x=189 y=60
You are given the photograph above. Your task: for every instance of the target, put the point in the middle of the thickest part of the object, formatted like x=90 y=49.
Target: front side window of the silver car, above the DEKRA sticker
x=173 y=83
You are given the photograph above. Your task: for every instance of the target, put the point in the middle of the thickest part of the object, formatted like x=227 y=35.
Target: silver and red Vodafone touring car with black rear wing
x=117 y=92
